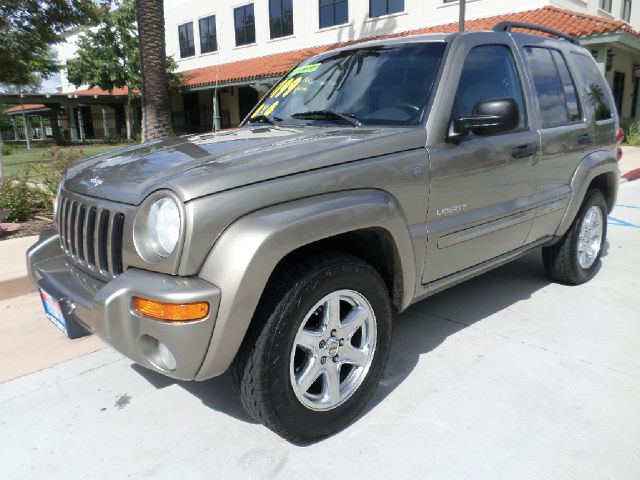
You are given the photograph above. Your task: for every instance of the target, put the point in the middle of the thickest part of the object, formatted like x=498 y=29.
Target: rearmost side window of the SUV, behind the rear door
x=594 y=87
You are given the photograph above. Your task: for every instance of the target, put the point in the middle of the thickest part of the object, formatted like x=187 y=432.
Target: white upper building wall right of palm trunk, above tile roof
x=418 y=13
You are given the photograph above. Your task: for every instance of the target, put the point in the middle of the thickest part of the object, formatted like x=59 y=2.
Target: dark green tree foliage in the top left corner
x=29 y=27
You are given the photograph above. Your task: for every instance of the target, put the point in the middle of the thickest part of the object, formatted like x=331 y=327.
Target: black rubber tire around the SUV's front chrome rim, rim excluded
x=261 y=369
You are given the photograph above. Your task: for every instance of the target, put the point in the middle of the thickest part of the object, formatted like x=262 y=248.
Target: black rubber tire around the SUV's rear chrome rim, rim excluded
x=561 y=259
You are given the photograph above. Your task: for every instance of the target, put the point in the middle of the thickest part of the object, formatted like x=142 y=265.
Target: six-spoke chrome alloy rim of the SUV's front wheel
x=333 y=350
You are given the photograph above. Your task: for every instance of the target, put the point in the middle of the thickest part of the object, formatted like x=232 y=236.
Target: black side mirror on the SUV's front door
x=489 y=117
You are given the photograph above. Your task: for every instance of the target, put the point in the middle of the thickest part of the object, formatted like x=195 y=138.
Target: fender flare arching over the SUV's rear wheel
x=591 y=166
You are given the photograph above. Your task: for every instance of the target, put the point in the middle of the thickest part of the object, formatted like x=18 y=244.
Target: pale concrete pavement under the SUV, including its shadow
x=507 y=376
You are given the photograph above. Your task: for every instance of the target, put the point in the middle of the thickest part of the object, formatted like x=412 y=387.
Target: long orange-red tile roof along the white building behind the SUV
x=565 y=21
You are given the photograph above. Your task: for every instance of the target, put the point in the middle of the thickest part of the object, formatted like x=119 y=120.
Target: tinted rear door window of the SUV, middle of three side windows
x=555 y=90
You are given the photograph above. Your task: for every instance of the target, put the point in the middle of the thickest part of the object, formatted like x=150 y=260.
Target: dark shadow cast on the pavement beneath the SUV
x=417 y=331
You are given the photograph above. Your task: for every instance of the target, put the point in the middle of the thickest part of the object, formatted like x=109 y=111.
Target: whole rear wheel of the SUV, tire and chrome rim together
x=575 y=259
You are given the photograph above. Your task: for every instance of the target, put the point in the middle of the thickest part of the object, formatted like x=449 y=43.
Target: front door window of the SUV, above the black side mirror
x=489 y=72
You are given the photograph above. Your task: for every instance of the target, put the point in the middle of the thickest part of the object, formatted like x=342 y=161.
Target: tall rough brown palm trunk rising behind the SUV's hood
x=156 y=121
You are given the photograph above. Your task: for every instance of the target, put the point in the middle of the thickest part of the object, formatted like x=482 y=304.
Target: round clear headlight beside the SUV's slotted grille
x=163 y=226
